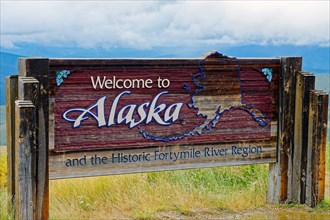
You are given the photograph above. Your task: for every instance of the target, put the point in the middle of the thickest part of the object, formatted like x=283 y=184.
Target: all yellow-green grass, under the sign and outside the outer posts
x=195 y=193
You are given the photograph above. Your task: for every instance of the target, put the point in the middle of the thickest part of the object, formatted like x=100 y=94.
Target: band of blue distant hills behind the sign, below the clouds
x=315 y=59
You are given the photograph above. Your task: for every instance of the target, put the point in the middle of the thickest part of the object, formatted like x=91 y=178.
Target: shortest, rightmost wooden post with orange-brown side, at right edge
x=316 y=148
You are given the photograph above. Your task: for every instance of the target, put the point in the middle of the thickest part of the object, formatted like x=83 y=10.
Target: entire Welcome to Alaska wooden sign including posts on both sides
x=86 y=117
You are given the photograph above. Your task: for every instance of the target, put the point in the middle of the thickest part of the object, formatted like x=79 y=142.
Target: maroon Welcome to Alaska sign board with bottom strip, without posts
x=144 y=115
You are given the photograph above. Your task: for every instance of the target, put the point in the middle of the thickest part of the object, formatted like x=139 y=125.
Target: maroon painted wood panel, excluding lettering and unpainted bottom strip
x=222 y=79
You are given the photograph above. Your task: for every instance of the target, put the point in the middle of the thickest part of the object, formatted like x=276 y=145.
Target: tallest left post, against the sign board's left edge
x=38 y=68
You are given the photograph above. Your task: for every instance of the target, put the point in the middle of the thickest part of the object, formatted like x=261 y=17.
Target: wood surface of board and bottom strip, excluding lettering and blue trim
x=226 y=81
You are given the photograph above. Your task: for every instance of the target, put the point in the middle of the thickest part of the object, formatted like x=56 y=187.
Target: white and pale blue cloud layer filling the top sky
x=148 y=24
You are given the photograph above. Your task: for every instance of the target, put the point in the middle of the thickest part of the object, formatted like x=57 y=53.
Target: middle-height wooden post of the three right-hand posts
x=305 y=83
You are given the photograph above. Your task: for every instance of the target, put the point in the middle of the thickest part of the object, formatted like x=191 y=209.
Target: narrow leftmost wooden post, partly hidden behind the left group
x=11 y=97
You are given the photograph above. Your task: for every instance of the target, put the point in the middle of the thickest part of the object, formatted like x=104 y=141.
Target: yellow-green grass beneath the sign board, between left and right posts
x=143 y=195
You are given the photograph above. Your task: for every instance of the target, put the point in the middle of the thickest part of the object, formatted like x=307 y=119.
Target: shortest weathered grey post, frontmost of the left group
x=25 y=156
